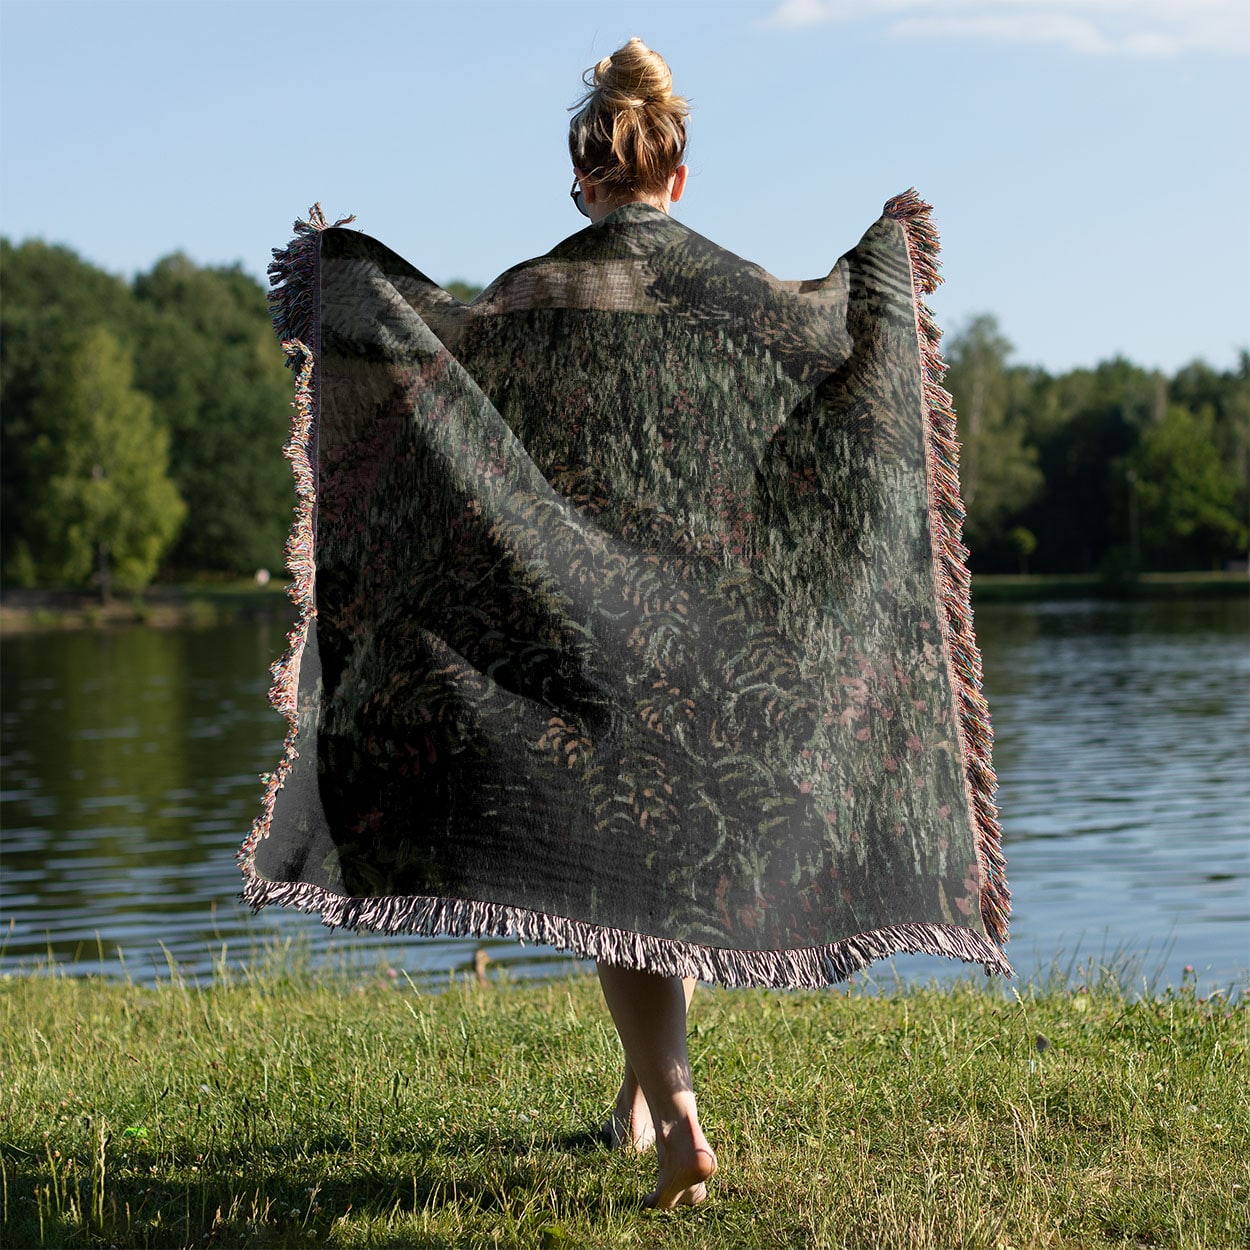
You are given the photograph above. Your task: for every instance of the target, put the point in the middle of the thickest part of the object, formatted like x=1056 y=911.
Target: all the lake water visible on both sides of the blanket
x=132 y=758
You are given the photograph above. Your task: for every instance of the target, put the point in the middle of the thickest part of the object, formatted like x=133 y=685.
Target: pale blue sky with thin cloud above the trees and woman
x=1088 y=159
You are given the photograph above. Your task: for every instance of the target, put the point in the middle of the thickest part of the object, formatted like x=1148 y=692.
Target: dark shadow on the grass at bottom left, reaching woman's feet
x=279 y=1196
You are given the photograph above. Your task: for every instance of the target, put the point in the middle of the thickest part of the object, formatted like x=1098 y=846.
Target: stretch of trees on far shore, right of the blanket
x=1114 y=469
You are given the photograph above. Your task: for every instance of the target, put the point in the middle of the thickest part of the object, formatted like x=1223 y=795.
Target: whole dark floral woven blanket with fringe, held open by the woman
x=634 y=618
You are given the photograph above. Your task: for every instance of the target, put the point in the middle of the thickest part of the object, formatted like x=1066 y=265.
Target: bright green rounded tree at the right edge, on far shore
x=1187 y=493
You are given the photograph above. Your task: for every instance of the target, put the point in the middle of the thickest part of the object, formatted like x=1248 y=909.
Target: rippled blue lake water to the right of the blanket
x=1123 y=743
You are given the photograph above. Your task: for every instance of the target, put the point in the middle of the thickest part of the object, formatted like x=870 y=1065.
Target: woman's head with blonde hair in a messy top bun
x=629 y=133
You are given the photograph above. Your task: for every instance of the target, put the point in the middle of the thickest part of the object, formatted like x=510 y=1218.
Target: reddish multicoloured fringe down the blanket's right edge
x=954 y=582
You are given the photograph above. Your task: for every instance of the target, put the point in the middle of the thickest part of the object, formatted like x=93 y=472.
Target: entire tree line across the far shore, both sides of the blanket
x=141 y=426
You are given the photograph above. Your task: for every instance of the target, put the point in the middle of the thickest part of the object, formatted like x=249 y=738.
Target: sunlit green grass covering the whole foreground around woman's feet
x=281 y=1108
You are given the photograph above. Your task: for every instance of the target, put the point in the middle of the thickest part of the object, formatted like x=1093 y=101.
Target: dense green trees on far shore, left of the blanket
x=141 y=423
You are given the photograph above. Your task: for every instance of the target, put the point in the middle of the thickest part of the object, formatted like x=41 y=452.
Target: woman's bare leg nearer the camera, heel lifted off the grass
x=651 y=1016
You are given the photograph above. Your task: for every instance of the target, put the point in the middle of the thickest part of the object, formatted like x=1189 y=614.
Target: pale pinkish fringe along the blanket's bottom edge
x=811 y=968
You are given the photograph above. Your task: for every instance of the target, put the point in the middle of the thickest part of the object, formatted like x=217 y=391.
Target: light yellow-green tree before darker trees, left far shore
x=107 y=509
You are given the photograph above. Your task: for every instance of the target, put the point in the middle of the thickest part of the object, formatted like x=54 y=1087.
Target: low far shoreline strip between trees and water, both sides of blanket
x=171 y=607
